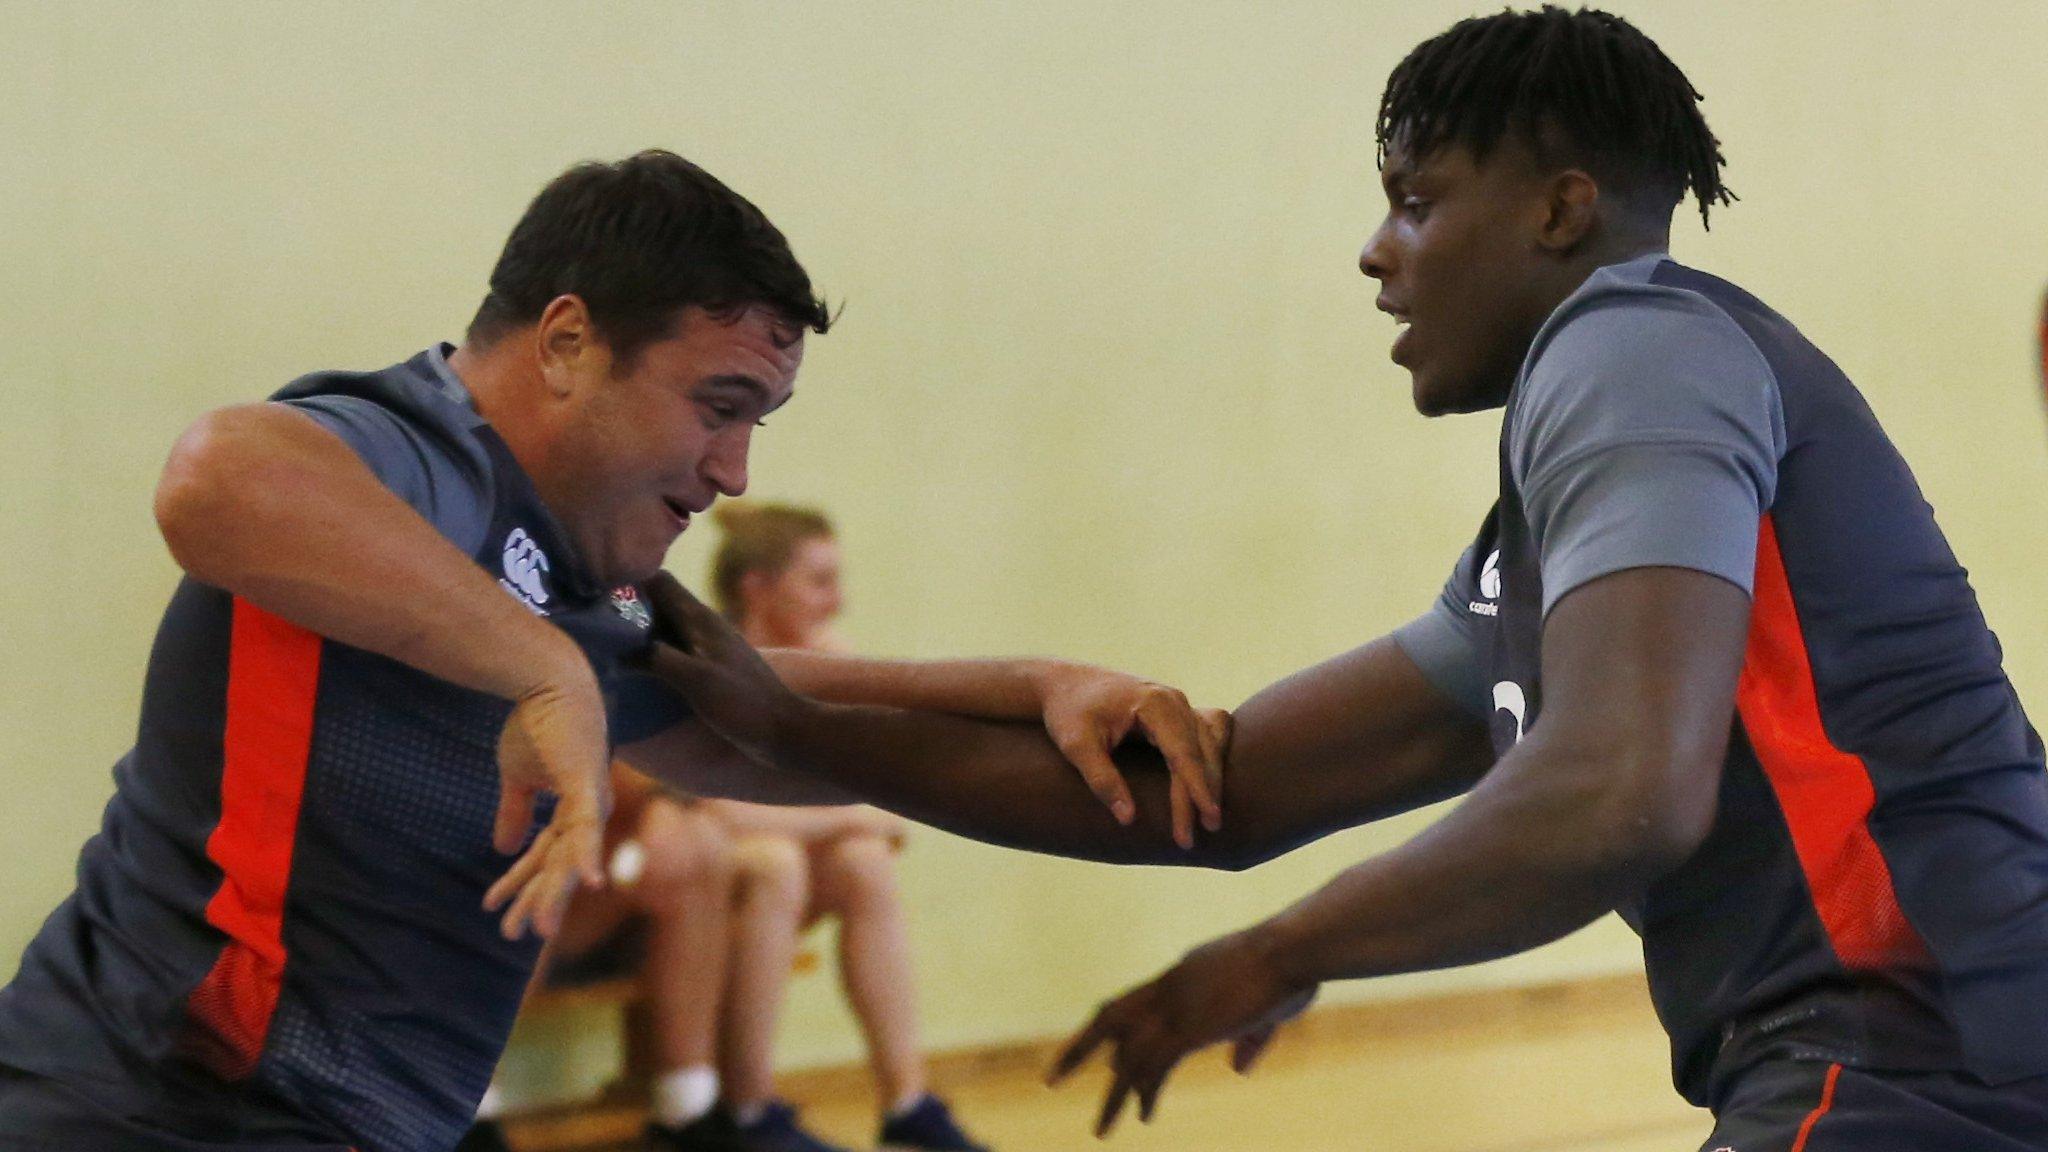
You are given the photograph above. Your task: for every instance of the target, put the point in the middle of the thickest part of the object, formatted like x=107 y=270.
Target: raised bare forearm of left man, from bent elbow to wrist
x=265 y=503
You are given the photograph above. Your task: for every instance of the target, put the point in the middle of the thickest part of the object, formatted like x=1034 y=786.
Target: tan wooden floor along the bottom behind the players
x=1566 y=1069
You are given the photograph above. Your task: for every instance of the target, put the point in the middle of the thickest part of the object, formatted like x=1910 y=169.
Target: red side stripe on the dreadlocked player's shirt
x=1826 y=794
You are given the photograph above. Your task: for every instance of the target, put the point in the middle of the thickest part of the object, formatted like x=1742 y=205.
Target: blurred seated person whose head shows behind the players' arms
x=777 y=575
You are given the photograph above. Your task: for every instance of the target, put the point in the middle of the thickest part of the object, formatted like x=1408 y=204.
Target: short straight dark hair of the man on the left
x=640 y=241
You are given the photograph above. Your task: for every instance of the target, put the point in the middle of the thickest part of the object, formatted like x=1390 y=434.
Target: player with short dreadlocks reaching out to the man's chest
x=1709 y=663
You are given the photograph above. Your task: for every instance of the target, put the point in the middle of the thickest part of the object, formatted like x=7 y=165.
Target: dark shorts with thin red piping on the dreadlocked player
x=1793 y=1106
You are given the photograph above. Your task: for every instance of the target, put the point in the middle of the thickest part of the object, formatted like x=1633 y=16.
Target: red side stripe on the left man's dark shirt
x=273 y=673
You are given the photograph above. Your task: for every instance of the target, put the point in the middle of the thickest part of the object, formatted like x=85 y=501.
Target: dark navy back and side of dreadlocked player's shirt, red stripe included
x=1877 y=882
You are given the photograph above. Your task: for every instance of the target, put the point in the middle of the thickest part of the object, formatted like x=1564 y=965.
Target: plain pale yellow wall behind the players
x=1107 y=384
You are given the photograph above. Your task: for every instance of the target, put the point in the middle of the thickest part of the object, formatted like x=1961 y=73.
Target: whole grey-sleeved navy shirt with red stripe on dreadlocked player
x=1875 y=884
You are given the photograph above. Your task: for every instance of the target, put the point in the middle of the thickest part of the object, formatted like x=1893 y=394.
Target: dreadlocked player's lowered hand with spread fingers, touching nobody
x=1224 y=991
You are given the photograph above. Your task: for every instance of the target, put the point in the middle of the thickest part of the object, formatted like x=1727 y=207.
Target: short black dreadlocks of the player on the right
x=1582 y=89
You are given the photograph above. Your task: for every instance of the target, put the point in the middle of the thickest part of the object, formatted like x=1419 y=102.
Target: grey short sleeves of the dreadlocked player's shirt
x=1644 y=429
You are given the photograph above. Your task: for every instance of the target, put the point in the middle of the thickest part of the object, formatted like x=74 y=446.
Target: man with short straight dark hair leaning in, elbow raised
x=409 y=614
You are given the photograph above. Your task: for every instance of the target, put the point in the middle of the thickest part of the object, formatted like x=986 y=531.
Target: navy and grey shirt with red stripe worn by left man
x=278 y=938
